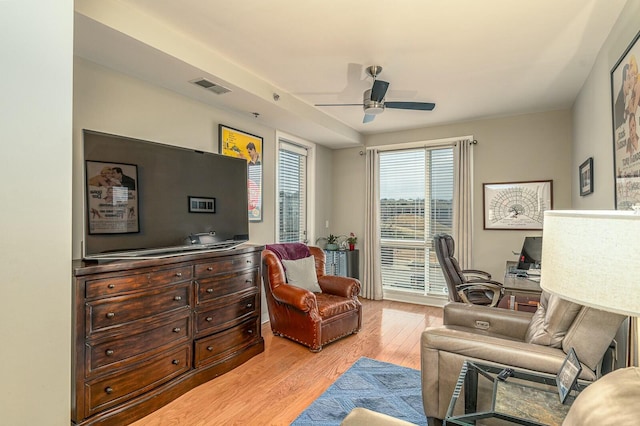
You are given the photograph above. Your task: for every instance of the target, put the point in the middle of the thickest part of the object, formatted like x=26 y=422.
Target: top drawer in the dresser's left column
x=124 y=283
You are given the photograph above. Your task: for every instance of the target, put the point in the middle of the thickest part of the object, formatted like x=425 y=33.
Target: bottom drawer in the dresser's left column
x=119 y=387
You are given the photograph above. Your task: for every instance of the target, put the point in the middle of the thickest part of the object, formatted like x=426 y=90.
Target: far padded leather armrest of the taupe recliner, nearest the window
x=505 y=322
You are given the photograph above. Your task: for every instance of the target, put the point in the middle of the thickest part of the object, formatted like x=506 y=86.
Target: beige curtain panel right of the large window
x=463 y=202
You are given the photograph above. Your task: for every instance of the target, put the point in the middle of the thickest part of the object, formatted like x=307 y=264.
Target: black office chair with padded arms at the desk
x=470 y=285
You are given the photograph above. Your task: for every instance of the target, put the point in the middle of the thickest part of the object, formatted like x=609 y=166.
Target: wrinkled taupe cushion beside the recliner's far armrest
x=551 y=321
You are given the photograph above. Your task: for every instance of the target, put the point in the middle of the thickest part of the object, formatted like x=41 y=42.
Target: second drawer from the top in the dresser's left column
x=106 y=313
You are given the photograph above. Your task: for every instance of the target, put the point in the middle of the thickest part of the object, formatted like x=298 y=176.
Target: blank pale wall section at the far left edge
x=36 y=46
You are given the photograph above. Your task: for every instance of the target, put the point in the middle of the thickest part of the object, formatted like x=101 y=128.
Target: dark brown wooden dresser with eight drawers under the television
x=147 y=331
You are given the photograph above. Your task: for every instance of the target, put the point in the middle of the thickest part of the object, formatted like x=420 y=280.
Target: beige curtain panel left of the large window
x=372 y=277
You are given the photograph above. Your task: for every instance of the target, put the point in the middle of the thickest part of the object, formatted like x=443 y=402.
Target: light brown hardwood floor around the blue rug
x=274 y=387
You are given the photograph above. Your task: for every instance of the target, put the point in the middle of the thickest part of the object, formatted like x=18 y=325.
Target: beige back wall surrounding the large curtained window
x=518 y=148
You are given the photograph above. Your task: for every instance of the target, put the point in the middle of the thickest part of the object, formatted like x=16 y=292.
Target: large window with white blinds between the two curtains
x=416 y=202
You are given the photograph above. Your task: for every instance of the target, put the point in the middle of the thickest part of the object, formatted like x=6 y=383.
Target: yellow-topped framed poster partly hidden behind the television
x=239 y=144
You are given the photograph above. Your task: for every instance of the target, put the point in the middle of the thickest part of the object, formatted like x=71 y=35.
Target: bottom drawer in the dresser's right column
x=225 y=343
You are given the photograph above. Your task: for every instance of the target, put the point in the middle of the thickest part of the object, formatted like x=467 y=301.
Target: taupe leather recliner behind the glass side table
x=526 y=341
